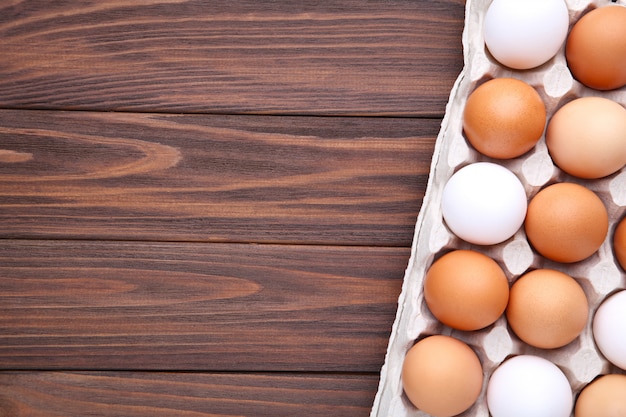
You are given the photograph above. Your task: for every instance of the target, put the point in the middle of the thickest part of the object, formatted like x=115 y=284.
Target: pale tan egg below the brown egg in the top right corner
x=587 y=137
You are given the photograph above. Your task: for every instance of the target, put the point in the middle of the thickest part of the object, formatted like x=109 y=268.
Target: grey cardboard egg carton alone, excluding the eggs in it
x=599 y=275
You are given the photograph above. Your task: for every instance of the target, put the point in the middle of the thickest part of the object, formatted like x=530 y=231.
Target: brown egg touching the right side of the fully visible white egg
x=566 y=222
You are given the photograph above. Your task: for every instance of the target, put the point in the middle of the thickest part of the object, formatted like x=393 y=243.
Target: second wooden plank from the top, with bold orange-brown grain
x=79 y=175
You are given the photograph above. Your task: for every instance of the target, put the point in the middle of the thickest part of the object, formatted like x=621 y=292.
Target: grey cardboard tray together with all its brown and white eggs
x=559 y=247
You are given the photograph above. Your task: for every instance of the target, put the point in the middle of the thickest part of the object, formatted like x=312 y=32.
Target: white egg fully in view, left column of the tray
x=484 y=203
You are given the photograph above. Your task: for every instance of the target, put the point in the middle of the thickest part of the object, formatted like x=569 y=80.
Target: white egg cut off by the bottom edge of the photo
x=529 y=386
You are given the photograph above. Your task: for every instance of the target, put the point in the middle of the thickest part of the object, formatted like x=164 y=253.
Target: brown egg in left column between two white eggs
x=504 y=118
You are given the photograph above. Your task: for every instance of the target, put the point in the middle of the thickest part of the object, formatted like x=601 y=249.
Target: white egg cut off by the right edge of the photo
x=609 y=329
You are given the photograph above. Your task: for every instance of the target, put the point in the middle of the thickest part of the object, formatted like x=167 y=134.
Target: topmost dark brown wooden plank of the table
x=396 y=57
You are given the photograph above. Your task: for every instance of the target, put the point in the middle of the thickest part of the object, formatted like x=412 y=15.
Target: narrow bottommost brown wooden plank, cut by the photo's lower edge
x=114 y=394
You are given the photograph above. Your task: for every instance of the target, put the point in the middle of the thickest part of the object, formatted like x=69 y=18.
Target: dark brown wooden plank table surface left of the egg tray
x=207 y=207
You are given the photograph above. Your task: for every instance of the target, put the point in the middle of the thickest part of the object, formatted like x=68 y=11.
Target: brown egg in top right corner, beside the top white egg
x=596 y=48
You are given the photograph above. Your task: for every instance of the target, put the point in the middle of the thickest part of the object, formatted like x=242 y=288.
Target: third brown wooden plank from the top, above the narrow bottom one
x=181 y=306
